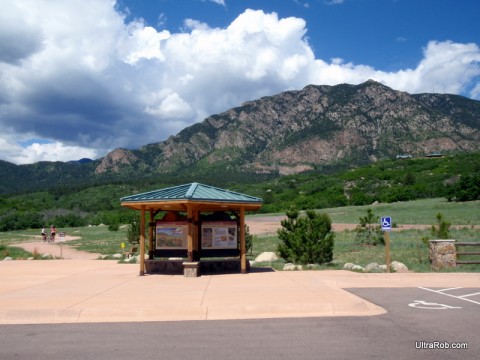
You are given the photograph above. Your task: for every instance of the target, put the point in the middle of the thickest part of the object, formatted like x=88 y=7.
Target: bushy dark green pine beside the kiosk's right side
x=306 y=239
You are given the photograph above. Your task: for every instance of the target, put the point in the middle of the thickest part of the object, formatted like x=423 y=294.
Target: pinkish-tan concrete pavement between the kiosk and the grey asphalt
x=69 y=291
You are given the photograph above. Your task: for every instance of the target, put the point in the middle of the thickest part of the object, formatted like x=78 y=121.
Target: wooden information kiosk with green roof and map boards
x=196 y=224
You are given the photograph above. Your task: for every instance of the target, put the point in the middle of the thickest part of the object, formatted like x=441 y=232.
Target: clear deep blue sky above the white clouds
x=385 y=34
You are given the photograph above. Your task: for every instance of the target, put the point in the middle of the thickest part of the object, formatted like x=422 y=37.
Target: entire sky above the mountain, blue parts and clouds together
x=80 y=78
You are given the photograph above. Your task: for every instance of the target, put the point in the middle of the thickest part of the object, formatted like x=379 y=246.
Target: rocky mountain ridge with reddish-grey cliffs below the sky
x=291 y=132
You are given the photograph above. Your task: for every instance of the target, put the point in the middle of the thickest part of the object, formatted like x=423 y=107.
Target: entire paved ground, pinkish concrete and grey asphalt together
x=85 y=309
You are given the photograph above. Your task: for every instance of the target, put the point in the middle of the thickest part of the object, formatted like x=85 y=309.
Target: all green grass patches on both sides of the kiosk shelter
x=406 y=245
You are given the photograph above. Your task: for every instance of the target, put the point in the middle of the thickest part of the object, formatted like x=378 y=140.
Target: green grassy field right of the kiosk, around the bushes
x=406 y=245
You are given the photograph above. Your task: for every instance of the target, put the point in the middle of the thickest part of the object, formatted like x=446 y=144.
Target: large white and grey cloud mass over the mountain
x=78 y=74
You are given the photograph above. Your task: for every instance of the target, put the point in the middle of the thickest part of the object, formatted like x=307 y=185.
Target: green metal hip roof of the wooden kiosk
x=193 y=191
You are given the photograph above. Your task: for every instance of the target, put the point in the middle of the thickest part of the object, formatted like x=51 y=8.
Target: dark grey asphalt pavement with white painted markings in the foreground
x=444 y=330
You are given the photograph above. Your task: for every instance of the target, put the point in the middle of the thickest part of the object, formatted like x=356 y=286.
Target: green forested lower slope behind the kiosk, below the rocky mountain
x=456 y=177
